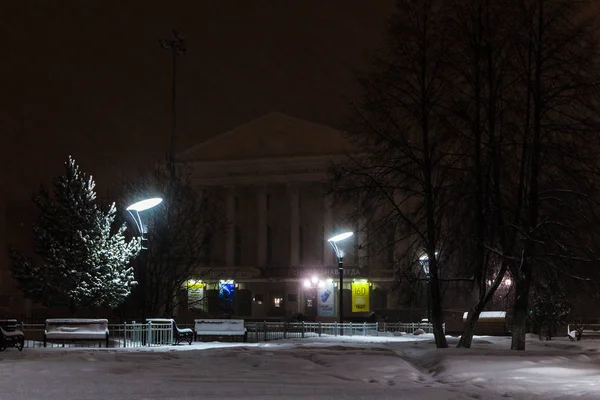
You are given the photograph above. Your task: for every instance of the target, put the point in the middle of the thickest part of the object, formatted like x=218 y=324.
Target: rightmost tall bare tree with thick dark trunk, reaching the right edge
x=554 y=110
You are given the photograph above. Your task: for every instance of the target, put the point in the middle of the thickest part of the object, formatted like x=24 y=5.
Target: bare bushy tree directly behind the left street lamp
x=181 y=234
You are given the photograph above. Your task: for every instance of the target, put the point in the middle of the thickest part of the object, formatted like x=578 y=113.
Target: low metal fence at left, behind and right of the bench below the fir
x=121 y=335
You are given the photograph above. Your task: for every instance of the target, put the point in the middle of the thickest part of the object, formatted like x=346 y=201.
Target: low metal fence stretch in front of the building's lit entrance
x=264 y=331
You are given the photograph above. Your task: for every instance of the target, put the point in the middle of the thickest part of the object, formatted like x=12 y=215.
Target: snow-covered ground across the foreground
x=385 y=367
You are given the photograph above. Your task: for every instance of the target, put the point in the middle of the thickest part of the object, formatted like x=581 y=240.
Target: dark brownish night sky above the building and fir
x=88 y=78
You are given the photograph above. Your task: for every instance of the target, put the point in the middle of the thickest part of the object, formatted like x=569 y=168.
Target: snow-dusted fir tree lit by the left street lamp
x=82 y=260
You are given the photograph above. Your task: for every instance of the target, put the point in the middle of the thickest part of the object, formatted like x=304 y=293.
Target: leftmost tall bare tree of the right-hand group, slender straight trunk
x=402 y=180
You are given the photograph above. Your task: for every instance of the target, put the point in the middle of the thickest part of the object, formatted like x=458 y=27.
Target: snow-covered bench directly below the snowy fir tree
x=76 y=329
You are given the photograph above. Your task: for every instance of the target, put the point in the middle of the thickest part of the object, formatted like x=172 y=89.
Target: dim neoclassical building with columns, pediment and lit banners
x=274 y=260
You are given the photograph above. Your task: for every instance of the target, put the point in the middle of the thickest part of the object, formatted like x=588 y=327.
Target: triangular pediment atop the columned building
x=274 y=135
